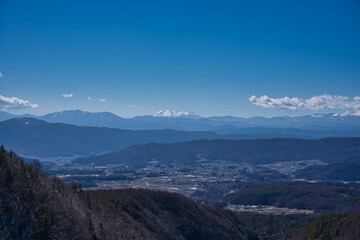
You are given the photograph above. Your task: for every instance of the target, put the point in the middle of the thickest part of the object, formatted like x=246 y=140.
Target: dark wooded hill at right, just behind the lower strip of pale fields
x=320 y=197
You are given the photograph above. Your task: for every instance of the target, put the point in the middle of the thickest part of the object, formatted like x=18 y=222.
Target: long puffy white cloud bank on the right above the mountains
x=317 y=103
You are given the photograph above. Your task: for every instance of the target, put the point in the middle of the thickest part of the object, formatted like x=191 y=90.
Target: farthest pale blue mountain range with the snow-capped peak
x=190 y=122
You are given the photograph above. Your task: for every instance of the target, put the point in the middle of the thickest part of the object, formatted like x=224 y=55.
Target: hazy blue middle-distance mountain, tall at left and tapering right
x=35 y=138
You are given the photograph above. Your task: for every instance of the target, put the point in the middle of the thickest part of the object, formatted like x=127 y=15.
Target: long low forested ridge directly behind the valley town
x=252 y=151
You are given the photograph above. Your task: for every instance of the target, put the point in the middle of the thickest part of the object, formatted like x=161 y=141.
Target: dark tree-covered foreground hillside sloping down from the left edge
x=33 y=206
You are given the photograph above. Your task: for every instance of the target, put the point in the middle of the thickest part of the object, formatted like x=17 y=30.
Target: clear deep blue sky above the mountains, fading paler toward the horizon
x=208 y=57
